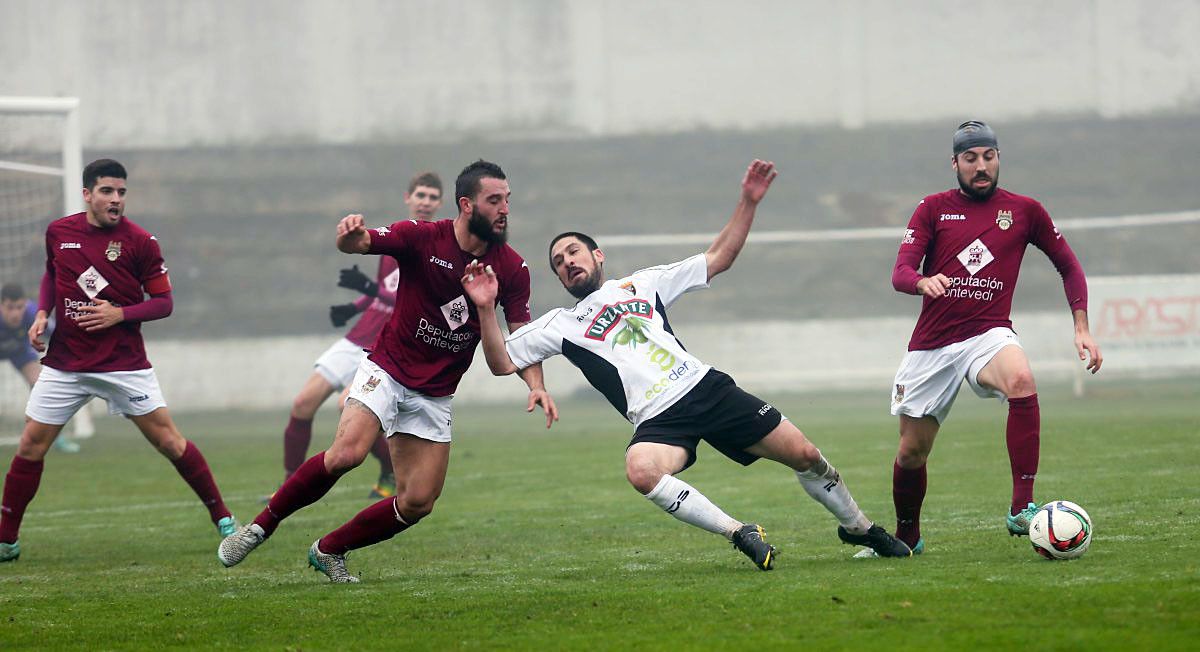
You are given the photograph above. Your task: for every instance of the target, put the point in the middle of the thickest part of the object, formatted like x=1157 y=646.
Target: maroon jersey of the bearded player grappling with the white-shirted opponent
x=429 y=343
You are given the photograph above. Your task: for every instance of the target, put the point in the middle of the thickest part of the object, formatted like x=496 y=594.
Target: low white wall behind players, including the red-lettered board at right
x=766 y=357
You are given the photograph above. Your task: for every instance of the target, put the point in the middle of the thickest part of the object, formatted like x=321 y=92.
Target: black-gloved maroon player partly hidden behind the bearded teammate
x=337 y=367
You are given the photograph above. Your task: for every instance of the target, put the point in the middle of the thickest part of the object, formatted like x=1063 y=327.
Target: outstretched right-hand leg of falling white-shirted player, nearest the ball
x=787 y=445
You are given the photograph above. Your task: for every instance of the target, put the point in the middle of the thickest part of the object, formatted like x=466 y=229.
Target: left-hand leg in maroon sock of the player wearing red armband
x=21 y=484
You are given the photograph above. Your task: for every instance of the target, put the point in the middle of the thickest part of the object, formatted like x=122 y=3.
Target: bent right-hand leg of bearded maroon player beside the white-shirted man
x=422 y=469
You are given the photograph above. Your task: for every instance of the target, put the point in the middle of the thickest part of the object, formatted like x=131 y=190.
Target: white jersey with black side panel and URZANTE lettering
x=621 y=339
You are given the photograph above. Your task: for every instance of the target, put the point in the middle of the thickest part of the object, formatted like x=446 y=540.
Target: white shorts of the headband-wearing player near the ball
x=928 y=381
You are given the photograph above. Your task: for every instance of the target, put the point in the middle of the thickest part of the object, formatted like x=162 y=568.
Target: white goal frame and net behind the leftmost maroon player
x=41 y=164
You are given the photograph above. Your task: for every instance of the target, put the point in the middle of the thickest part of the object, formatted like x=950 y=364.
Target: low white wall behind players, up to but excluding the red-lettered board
x=767 y=357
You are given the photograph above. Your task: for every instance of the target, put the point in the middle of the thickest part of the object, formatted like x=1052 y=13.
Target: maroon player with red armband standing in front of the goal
x=99 y=268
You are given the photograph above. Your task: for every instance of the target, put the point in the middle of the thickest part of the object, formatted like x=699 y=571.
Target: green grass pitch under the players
x=539 y=542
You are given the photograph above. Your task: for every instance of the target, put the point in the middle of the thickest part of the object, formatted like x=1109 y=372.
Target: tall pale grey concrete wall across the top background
x=207 y=73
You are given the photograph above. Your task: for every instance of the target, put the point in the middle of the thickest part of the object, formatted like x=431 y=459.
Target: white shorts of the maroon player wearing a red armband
x=58 y=396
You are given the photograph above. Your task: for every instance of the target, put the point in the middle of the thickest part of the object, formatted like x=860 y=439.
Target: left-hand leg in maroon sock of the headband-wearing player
x=910 y=477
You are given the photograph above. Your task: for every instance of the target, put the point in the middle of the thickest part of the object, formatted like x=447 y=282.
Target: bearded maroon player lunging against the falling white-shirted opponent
x=405 y=387
